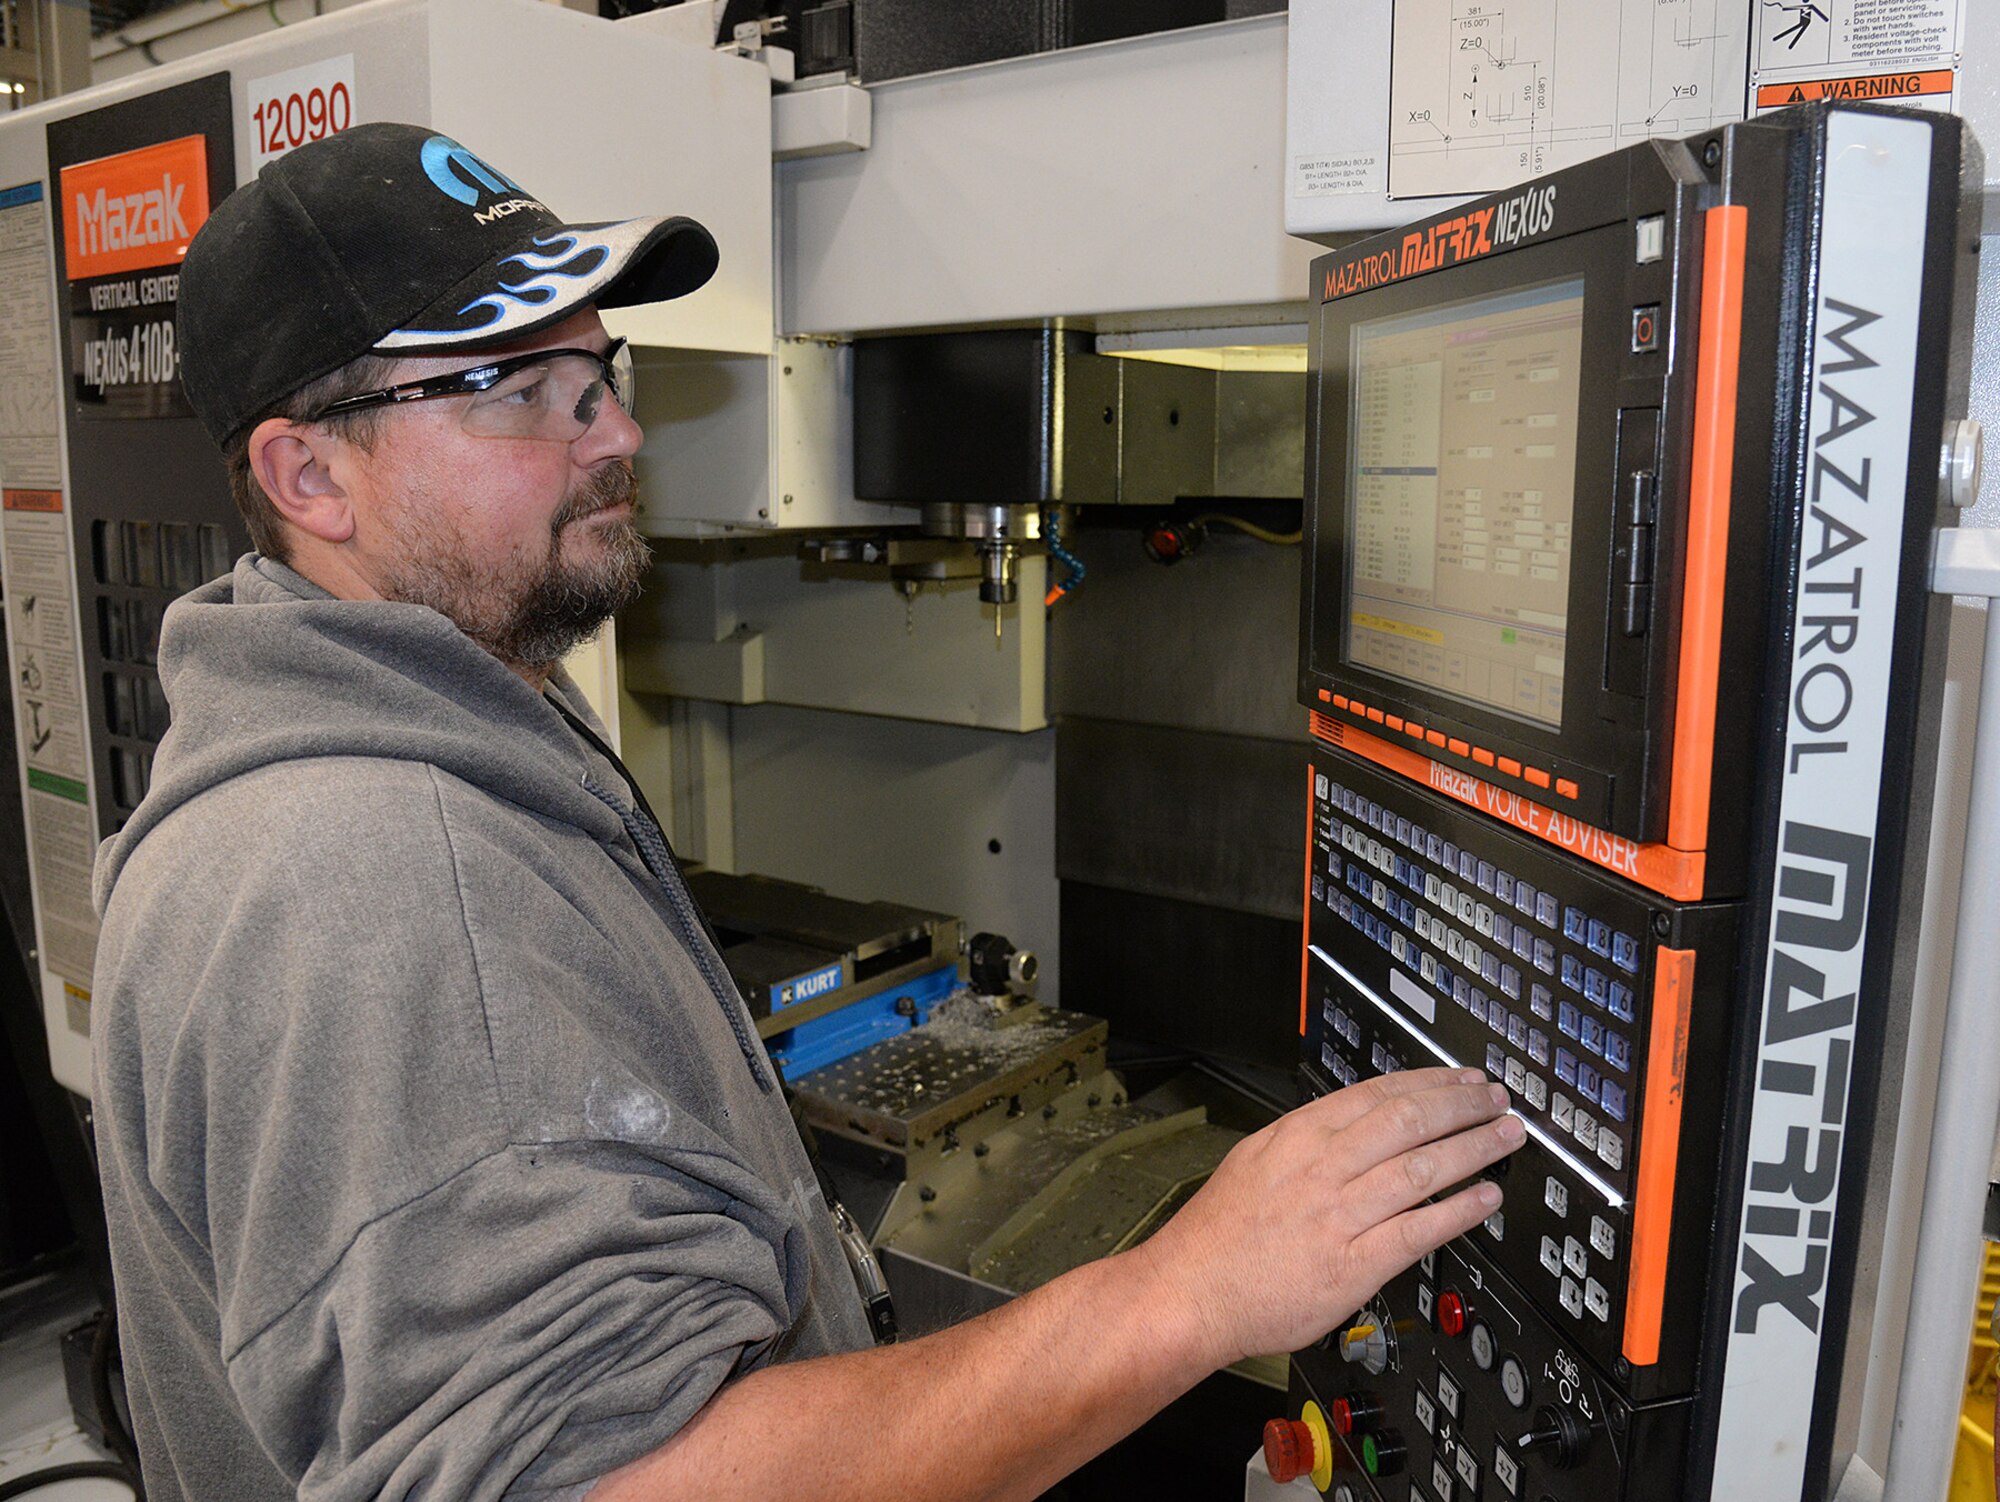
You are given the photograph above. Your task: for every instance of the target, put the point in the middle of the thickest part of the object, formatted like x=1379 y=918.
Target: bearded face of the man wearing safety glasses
x=527 y=545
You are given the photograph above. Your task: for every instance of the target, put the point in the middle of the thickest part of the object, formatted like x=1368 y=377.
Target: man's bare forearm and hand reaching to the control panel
x=1295 y=1231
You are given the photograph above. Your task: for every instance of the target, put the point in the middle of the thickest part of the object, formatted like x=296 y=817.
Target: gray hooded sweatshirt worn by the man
x=439 y=1153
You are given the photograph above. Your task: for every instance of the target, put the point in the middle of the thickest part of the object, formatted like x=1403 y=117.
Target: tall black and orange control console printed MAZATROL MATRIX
x=1621 y=663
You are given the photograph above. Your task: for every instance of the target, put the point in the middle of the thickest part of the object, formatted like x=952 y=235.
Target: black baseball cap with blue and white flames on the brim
x=391 y=239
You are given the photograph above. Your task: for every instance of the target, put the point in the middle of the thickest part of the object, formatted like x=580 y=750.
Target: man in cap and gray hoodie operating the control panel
x=441 y=1155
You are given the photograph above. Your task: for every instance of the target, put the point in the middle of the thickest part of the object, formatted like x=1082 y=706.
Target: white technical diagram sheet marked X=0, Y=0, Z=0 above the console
x=1489 y=93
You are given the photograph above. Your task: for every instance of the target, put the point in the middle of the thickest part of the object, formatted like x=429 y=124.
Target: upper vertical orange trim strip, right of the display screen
x=1709 y=525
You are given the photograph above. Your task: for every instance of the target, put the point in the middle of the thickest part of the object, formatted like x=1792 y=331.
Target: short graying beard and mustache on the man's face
x=559 y=605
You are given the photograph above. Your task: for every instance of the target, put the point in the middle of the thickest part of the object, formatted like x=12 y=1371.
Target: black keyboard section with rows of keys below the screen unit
x=1437 y=937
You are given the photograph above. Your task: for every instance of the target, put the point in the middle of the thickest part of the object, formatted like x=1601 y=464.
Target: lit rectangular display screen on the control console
x=1463 y=493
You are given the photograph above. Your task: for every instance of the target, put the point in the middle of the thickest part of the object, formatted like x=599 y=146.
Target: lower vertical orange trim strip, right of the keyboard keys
x=1659 y=1155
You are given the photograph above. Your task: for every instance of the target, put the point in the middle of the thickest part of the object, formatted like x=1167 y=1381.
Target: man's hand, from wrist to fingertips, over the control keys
x=1305 y=1221
